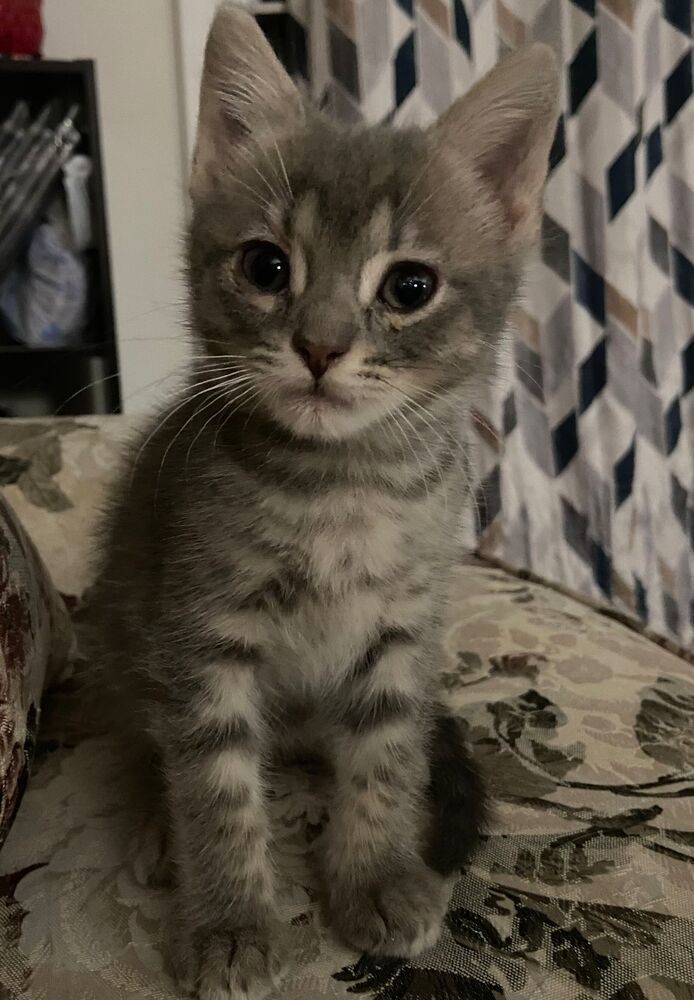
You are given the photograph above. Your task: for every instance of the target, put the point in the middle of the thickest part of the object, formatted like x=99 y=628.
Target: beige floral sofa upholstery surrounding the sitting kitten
x=583 y=888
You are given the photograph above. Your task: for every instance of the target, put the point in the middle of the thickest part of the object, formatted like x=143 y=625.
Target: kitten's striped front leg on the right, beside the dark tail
x=383 y=898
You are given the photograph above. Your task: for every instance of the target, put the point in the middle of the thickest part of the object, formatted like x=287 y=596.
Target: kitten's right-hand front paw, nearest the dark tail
x=400 y=917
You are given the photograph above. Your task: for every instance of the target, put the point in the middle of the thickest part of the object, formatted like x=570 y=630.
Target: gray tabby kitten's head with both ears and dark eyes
x=342 y=276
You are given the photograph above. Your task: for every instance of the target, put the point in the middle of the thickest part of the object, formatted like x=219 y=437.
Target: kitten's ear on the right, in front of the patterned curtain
x=504 y=128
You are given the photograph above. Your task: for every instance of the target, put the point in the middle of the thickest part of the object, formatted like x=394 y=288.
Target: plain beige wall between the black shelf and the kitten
x=134 y=45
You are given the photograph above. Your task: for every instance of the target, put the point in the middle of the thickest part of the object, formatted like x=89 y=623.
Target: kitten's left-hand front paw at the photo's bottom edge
x=245 y=965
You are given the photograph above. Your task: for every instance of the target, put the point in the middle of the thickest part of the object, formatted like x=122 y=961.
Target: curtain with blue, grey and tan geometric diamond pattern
x=587 y=453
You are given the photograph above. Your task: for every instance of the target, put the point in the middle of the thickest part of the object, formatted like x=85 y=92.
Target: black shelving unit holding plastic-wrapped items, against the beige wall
x=84 y=378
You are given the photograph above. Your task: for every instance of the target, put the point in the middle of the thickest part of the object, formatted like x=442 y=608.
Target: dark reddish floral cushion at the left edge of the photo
x=34 y=640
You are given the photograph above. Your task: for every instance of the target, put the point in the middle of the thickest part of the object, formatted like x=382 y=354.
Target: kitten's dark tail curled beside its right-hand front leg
x=456 y=796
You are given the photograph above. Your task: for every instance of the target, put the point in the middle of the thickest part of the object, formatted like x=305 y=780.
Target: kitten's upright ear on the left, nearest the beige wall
x=246 y=98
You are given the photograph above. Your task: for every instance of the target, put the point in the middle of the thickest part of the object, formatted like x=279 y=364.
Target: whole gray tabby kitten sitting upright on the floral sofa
x=277 y=555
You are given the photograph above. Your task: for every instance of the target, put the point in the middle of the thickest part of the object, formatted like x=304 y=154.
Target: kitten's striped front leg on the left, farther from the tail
x=225 y=941
